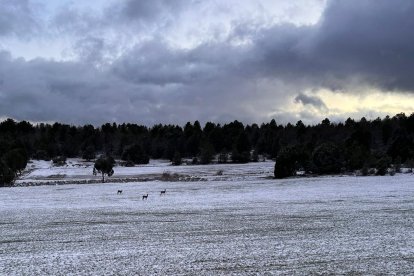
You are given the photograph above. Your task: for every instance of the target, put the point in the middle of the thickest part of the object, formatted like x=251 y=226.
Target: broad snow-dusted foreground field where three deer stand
x=245 y=225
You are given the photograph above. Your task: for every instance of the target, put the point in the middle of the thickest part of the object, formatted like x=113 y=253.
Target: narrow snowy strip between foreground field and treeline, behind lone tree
x=77 y=170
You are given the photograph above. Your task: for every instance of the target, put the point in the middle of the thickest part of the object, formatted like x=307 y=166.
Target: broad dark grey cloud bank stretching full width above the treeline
x=355 y=43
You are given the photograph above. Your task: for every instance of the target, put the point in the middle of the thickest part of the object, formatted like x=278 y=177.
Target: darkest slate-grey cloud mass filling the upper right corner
x=368 y=38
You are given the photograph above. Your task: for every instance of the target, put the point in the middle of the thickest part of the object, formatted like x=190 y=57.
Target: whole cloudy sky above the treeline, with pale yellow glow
x=174 y=61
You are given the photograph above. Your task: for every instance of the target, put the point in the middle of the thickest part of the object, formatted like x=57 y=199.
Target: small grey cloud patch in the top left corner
x=17 y=17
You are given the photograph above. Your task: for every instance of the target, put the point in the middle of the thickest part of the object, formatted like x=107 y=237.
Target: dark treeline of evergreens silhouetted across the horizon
x=323 y=148
